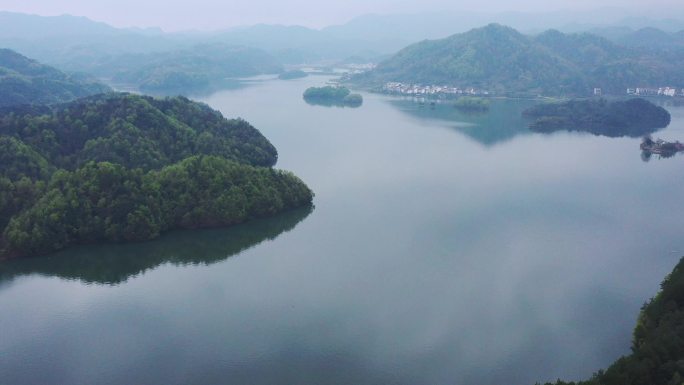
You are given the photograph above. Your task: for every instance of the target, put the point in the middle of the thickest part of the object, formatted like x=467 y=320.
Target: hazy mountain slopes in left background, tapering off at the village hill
x=79 y=44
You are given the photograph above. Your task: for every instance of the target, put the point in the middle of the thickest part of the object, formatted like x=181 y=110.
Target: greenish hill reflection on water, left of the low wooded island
x=501 y=123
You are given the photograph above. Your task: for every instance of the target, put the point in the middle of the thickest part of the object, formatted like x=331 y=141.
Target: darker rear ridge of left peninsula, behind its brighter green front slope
x=136 y=132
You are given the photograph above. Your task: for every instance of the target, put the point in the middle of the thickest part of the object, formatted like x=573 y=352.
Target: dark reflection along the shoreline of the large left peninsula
x=115 y=263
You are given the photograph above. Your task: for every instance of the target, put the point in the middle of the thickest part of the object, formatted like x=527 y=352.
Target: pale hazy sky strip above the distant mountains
x=214 y=14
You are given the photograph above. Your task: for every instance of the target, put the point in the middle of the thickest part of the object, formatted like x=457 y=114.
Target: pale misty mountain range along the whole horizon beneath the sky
x=73 y=43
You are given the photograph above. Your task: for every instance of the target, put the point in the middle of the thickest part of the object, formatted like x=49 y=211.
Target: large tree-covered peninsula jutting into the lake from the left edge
x=122 y=167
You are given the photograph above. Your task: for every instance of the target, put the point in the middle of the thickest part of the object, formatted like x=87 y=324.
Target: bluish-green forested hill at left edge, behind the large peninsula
x=25 y=81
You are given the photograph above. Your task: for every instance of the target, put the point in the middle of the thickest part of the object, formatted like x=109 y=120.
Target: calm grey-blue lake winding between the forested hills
x=444 y=248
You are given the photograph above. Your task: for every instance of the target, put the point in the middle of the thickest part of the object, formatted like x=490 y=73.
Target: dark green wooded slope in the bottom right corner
x=657 y=356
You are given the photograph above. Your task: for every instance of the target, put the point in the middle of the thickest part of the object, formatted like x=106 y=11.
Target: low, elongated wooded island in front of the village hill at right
x=633 y=117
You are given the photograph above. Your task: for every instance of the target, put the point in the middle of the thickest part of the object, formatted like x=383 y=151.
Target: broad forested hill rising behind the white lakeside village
x=501 y=60
